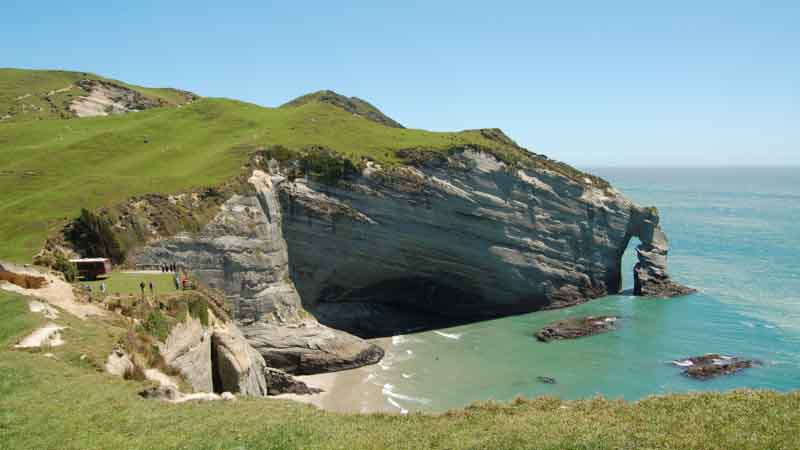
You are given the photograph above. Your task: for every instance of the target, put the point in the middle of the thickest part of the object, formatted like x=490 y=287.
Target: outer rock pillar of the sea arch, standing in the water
x=650 y=273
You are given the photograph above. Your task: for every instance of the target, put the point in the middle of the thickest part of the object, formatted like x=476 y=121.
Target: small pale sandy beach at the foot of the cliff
x=351 y=391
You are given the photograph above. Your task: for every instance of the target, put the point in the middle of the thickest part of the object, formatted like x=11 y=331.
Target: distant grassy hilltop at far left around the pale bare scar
x=30 y=87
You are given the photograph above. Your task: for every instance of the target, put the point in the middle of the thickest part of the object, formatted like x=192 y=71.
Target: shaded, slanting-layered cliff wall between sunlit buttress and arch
x=464 y=235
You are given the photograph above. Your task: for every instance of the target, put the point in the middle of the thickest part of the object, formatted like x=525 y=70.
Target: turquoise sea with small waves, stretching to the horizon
x=735 y=236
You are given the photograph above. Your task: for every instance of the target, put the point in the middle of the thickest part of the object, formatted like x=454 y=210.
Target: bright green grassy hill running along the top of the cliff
x=52 y=168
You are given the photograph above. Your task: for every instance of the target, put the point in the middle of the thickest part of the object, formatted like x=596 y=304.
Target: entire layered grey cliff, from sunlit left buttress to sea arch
x=458 y=237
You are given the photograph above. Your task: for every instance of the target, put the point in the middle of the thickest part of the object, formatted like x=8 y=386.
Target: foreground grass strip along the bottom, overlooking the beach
x=65 y=403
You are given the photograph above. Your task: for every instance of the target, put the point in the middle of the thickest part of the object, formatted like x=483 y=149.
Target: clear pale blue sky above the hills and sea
x=590 y=83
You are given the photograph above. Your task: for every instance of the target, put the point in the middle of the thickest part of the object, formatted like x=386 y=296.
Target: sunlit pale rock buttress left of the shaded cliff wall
x=242 y=252
